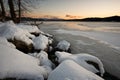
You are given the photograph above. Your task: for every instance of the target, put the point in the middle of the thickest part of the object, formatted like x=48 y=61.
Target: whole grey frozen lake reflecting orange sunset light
x=101 y=39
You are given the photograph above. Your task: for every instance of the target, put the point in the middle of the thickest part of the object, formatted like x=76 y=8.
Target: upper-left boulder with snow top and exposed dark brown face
x=18 y=36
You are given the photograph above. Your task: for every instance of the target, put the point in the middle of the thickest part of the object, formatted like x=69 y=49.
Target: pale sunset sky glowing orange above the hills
x=69 y=9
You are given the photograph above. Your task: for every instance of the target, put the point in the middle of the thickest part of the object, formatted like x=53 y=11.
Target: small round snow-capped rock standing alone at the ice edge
x=63 y=45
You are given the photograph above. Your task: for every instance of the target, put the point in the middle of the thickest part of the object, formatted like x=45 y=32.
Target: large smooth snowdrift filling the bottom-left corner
x=15 y=64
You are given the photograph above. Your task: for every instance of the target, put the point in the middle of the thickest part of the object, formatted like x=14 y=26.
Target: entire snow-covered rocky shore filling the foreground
x=24 y=55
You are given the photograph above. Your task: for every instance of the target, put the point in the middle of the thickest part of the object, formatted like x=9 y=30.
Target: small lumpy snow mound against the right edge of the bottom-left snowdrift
x=43 y=58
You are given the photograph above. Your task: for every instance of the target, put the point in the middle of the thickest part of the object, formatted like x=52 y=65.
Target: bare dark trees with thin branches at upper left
x=14 y=9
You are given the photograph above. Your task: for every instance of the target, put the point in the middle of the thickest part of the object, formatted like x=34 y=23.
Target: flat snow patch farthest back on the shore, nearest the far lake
x=29 y=28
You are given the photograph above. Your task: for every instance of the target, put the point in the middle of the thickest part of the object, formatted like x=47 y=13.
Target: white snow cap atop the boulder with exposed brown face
x=10 y=31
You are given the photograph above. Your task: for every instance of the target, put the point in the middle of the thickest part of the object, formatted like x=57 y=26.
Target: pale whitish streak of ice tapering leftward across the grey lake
x=111 y=39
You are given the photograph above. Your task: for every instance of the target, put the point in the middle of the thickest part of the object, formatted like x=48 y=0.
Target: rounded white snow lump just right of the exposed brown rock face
x=40 y=42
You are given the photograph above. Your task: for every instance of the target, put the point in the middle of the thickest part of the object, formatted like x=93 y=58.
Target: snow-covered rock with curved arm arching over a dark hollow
x=82 y=59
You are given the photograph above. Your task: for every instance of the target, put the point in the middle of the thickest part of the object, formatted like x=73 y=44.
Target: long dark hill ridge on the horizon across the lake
x=105 y=19
